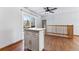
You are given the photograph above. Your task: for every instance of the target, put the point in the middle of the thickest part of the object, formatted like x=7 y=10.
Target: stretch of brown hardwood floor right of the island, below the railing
x=54 y=43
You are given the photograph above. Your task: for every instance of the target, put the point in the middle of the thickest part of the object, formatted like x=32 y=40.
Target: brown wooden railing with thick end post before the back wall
x=69 y=29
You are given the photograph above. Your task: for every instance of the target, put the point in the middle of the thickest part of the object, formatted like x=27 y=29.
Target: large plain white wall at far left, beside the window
x=10 y=25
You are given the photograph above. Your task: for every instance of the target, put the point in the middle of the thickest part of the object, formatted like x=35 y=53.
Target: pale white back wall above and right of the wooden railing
x=65 y=18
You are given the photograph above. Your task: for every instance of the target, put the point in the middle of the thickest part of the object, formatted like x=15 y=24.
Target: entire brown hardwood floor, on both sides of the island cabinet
x=52 y=43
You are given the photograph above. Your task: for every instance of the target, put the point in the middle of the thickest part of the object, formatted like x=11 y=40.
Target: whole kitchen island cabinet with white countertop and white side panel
x=34 y=39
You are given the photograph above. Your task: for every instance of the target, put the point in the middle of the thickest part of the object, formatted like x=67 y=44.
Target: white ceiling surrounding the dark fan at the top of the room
x=41 y=11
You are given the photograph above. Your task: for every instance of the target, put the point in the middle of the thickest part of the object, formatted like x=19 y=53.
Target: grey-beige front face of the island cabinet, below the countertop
x=32 y=40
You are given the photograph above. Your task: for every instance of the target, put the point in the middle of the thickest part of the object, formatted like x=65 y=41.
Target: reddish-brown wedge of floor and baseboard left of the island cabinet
x=17 y=46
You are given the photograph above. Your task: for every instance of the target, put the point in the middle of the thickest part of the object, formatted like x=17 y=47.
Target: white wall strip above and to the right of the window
x=38 y=22
